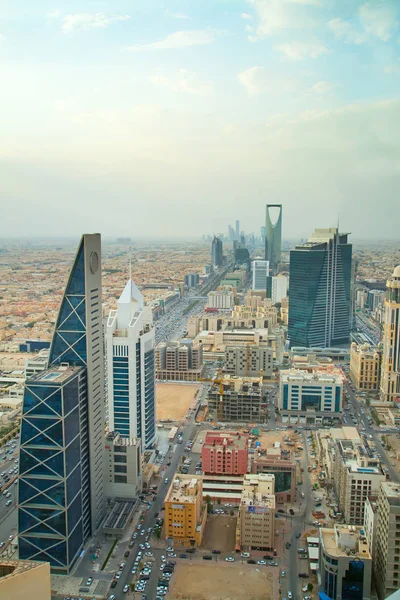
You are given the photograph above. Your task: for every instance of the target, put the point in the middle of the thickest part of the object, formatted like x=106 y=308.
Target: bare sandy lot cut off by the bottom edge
x=216 y=581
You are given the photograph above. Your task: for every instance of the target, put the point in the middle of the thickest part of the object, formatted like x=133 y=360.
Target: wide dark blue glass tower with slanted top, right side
x=320 y=299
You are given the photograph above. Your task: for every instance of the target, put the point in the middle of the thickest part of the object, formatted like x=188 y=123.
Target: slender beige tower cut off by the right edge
x=390 y=373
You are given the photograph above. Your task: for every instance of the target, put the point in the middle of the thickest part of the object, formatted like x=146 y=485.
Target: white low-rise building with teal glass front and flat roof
x=311 y=397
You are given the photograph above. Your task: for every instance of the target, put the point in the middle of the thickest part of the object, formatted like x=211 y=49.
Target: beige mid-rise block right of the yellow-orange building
x=256 y=518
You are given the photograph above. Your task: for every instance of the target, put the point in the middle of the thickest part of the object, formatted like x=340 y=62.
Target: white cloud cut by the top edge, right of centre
x=275 y=16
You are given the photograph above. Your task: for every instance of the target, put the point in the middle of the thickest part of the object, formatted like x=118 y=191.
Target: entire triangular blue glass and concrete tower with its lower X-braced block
x=61 y=500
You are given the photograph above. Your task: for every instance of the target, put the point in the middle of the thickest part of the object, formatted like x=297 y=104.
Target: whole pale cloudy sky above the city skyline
x=177 y=117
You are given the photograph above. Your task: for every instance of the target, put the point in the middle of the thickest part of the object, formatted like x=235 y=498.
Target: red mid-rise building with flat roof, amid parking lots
x=225 y=453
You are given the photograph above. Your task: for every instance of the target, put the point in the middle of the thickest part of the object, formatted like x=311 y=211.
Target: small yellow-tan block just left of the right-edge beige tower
x=365 y=363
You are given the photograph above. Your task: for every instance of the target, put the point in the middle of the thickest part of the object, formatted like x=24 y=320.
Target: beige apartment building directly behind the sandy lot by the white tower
x=179 y=361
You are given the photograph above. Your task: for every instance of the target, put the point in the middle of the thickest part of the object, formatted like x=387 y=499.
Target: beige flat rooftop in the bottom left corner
x=22 y=579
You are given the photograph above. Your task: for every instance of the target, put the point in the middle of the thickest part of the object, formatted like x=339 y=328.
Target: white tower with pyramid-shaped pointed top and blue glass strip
x=130 y=368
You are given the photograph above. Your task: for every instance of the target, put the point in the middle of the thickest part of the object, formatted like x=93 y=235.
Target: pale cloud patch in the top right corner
x=379 y=19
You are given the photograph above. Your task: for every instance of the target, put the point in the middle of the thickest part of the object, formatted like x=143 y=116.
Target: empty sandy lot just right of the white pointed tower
x=174 y=399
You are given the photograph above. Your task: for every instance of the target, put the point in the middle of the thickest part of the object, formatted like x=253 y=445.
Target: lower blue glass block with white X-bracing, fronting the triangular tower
x=51 y=519
